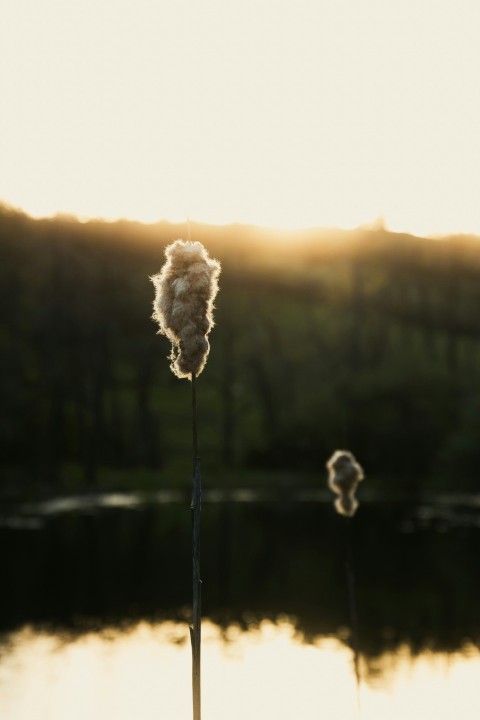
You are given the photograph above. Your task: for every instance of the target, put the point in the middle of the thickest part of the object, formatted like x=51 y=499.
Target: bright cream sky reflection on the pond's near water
x=266 y=672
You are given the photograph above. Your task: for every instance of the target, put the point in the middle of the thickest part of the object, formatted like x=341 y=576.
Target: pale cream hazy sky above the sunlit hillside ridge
x=286 y=114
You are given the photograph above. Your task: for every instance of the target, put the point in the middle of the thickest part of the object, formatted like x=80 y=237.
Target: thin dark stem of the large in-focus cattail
x=196 y=628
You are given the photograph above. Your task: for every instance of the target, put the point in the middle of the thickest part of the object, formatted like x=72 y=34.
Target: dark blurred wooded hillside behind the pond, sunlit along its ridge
x=361 y=339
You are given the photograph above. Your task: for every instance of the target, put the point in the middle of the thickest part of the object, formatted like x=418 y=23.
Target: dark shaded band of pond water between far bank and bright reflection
x=86 y=563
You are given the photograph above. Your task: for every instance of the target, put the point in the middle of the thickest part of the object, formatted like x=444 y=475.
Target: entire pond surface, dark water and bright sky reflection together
x=96 y=603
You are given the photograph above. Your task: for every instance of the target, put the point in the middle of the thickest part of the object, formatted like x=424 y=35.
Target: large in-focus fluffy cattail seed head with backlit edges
x=185 y=290
